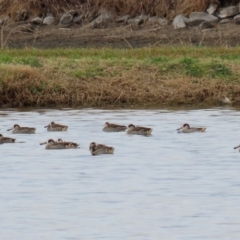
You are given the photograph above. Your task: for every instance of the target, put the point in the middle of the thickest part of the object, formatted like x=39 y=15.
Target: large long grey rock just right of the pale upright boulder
x=195 y=18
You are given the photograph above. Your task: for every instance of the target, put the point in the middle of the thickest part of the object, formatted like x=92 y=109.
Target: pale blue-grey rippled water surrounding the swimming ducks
x=167 y=186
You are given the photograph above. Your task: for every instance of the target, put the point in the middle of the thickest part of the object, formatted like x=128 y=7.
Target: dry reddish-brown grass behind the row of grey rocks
x=162 y=8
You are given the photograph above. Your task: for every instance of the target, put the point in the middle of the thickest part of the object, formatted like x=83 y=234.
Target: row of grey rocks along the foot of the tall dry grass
x=204 y=20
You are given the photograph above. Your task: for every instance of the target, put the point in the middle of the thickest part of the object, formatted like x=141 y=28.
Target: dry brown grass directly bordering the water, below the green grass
x=23 y=86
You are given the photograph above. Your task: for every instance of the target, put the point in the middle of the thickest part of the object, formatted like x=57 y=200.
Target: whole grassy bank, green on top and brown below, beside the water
x=114 y=77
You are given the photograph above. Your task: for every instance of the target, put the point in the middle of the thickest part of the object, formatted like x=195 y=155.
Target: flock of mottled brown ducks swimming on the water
x=94 y=148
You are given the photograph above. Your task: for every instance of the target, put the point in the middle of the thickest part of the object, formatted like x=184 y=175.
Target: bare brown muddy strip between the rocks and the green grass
x=124 y=37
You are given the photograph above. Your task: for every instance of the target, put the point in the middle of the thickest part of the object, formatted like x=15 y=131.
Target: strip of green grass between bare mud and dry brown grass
x=189 y=61
